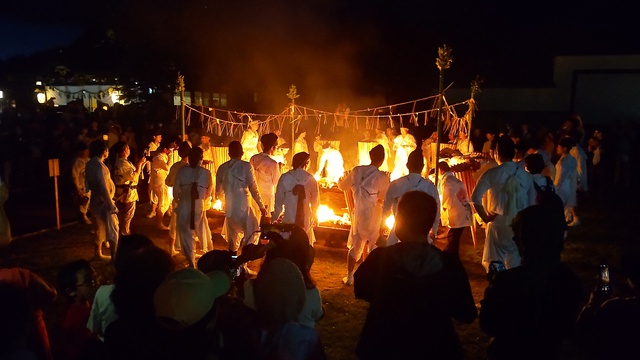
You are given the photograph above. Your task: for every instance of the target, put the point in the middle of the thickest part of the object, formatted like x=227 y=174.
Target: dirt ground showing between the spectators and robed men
x=601 y=237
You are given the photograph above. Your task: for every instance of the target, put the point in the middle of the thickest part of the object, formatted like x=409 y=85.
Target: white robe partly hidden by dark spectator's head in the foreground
x=399 y=187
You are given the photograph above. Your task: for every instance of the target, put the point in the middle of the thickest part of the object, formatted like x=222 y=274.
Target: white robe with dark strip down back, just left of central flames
x=288 y=203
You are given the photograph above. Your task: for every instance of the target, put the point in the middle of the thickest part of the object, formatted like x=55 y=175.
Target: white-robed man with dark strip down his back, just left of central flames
x=297 y=196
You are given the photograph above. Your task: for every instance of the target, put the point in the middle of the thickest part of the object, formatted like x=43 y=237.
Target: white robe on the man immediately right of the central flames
x=369 y=186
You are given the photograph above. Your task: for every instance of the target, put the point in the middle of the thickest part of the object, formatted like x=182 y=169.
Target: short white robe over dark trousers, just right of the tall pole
x=456 y=208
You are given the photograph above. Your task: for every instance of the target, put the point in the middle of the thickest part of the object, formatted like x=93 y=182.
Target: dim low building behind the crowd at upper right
x=601 y=89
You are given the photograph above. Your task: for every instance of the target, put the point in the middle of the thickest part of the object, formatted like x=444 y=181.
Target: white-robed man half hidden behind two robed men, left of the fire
x=267 y=170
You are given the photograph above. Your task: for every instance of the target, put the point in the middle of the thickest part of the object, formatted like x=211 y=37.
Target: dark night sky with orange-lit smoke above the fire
x=333 y=48
